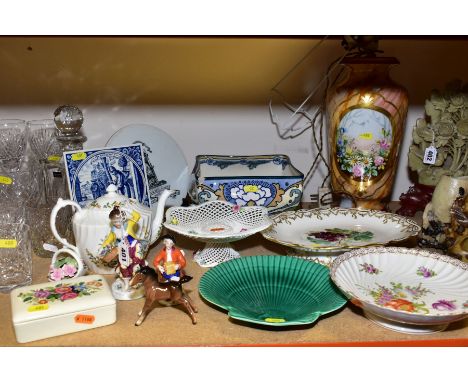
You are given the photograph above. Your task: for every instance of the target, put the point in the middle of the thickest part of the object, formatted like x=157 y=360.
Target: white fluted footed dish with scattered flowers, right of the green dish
x=408 y=290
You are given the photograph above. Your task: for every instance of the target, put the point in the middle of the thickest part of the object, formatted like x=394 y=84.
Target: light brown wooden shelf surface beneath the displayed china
x=170 y=326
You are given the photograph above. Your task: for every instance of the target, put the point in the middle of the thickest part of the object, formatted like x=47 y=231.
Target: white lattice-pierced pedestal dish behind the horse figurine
x=217 y=223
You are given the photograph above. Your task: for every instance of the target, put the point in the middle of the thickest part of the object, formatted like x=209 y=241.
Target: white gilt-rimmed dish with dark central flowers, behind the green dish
x=334 y=230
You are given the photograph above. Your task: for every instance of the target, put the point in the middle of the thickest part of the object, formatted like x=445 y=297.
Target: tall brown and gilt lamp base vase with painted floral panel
x=366 y=114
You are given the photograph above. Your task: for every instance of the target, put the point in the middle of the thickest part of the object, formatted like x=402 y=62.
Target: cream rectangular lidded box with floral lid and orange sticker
x=55 y=308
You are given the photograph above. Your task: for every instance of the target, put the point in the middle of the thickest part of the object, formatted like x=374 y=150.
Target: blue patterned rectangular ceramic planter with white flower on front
x=269 y=181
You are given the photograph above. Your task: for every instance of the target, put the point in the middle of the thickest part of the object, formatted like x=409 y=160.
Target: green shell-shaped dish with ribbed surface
x=272 y=290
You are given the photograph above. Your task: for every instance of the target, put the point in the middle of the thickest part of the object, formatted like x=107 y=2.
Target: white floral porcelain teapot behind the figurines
x=92 y=226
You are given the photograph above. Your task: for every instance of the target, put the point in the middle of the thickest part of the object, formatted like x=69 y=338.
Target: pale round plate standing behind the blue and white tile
x=166 y=166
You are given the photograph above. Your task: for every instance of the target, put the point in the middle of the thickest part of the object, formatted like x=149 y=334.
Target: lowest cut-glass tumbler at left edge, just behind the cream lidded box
x=15 y=256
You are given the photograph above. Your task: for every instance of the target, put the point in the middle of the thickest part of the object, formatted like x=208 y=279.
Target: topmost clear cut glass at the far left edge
x=13 y=142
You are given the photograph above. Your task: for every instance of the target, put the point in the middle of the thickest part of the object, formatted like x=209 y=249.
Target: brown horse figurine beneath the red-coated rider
x=156 y=291
